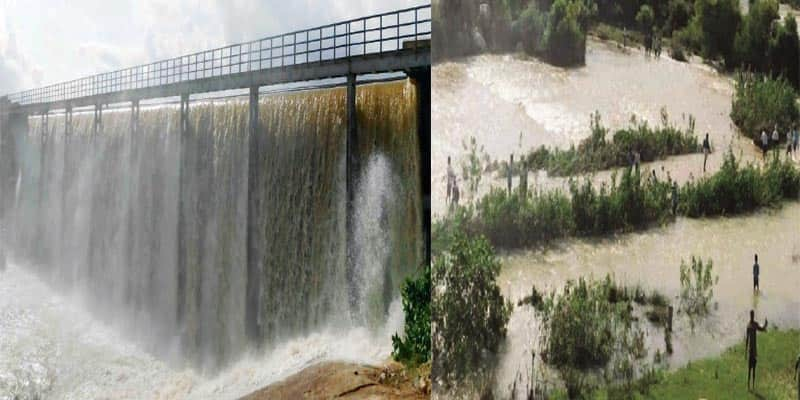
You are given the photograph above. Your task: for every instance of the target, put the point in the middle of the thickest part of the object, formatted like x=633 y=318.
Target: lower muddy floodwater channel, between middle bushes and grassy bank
x=652 y=259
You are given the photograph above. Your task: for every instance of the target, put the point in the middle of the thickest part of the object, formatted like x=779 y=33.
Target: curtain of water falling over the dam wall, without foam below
x=152 y=233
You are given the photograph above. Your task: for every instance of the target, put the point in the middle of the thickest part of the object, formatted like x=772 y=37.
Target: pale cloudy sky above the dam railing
x=50 y=41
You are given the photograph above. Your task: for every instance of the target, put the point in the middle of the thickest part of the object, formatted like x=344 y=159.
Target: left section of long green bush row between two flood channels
x=515 y=220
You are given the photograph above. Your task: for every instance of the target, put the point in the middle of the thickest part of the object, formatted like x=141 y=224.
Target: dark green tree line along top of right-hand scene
x=555 y=30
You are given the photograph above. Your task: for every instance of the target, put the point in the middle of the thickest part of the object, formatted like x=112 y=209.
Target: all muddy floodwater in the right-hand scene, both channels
x=512 y=103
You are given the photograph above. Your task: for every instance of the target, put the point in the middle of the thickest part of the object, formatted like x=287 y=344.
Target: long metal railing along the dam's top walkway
x=375 y=34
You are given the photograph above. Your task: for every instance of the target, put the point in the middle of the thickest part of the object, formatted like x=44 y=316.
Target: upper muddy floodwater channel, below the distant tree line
x=513 y=103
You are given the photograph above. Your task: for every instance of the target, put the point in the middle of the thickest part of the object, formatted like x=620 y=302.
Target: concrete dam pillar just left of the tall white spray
x=352 y=169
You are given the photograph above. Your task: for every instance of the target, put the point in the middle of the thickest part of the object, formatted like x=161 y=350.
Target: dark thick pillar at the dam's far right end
x=422 y=80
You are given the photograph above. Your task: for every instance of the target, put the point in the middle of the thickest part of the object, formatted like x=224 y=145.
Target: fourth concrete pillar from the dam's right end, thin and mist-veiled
x=182 y=193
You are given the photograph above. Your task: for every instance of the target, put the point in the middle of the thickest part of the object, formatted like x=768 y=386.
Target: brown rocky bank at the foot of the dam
x=351 y=381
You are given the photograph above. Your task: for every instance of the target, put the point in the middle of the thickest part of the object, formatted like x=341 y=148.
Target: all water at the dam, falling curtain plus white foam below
x=128 y=276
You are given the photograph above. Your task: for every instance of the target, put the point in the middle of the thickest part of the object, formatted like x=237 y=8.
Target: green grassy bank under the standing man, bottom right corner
x=724 y=377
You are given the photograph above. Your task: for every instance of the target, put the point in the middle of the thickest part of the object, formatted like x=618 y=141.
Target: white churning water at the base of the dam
x=51 y=346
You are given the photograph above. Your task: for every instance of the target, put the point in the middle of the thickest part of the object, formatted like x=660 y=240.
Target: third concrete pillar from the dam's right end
x=255 y=218
